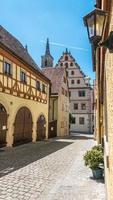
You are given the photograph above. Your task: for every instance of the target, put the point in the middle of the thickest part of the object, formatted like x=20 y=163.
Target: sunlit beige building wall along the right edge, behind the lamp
x=103 y=67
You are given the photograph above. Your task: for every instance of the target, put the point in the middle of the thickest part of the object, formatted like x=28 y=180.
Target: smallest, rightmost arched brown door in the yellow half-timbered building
x=41 y=128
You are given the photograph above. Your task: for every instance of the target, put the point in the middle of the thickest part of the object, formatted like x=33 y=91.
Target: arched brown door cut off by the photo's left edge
x=3 y=125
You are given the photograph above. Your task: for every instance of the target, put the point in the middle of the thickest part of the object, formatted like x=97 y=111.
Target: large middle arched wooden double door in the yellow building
x=23 y=126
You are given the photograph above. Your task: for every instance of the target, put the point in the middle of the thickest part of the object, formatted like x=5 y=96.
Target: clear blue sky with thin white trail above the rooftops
x=32 y=21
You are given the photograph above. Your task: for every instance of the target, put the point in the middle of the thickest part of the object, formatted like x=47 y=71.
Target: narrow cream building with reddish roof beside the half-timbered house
x=59 y=101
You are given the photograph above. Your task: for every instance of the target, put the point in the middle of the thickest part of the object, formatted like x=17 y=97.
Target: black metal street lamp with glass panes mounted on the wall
x=95 y=23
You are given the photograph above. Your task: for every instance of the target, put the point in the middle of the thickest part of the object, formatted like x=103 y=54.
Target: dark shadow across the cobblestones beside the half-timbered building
x=12 y=159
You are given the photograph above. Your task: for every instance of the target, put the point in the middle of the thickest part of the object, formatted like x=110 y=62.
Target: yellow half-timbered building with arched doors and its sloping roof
x=24 y=94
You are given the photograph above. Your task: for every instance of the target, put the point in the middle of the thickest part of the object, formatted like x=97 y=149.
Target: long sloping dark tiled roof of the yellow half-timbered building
x=14 y=45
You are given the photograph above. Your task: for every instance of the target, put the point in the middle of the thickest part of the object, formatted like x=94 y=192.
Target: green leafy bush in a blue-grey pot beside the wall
x=95 y=160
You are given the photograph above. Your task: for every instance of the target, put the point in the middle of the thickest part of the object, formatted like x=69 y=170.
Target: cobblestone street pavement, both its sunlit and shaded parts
x=50 y=170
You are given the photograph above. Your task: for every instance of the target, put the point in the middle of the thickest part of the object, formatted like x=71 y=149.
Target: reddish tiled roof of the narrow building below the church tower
x=55 y=75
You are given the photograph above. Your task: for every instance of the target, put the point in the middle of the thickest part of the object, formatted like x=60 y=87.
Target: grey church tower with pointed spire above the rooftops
x=47 y=59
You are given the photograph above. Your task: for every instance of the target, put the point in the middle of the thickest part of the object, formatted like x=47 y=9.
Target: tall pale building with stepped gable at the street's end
x=81 y=95
